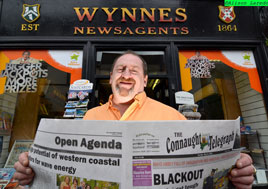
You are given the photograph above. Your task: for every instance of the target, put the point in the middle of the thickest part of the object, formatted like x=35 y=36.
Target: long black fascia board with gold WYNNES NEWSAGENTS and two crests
x=126 y=19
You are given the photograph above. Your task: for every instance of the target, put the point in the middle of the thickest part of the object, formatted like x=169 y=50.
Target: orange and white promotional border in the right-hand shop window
x=239 y=60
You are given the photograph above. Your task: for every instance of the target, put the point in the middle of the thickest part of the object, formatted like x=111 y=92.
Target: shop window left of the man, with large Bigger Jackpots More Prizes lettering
x=34 y=85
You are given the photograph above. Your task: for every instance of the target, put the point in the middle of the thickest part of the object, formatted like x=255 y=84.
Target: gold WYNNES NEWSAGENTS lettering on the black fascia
x=137 y=16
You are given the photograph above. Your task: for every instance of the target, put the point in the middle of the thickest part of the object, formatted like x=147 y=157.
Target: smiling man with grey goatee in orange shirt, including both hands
x=129 y=102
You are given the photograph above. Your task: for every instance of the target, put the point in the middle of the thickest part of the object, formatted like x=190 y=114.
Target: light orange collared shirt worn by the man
x=143 y=108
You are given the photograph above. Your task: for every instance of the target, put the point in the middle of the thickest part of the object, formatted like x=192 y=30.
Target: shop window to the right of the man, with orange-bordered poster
x=225 y=84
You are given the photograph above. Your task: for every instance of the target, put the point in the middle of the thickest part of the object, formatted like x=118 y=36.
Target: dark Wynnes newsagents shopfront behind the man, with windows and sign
x=216 y=53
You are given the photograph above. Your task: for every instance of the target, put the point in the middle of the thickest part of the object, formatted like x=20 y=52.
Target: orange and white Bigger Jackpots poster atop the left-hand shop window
x=68 y=61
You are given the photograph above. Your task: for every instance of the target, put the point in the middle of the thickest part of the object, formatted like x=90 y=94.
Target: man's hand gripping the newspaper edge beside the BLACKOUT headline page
x=242 y=176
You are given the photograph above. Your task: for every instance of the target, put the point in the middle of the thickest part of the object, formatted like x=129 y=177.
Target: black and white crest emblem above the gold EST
x=30 y=12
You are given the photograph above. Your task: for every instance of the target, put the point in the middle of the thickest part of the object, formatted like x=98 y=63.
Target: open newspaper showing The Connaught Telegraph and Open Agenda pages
x=134 y=154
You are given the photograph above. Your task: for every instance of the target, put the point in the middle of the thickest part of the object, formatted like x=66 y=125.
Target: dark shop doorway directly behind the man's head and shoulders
x=157 y=86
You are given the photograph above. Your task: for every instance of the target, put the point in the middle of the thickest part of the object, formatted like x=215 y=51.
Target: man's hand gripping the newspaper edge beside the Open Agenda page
x=24 y=174
